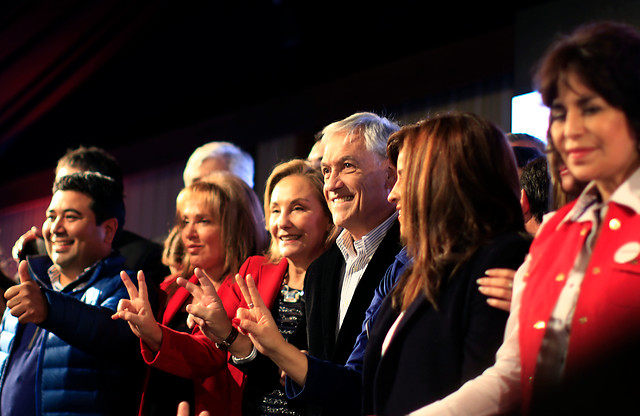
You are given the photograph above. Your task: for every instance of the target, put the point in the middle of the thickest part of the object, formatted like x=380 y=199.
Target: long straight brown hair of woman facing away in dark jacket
x=460 y=189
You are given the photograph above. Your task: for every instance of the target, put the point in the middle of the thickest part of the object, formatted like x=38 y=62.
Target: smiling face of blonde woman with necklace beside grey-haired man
x=297 y=220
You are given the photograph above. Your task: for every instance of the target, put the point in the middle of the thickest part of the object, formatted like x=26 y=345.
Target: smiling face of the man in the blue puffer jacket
x=72 y=238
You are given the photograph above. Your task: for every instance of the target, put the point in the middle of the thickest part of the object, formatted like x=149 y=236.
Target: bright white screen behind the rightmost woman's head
x=529 y=115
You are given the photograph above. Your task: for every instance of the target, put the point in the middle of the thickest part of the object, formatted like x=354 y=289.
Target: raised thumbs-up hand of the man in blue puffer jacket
x=25 y=300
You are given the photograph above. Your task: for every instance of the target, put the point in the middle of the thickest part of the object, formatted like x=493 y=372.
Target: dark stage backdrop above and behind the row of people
x=152 y=80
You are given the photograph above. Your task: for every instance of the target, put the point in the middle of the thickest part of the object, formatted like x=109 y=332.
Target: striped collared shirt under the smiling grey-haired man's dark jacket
x=357 y=255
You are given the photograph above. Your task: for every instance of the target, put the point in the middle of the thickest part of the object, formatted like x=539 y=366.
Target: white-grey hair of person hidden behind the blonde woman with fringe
x=238 y=162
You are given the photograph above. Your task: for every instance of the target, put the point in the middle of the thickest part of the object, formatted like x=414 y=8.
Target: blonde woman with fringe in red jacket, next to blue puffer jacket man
x=184 y=364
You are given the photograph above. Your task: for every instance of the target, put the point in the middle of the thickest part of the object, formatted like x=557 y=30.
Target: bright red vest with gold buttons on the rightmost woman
x=608 y=307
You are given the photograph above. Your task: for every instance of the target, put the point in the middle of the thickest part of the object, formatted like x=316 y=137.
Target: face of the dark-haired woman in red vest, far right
x=592 y=137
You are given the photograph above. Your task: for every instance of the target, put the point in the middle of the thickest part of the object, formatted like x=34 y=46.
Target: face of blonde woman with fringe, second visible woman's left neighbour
x=201 y=238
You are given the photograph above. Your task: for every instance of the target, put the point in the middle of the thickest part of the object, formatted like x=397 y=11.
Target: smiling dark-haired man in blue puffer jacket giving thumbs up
x=60 y=351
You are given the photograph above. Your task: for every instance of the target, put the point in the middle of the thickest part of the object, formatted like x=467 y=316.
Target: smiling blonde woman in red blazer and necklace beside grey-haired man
x=301 y=228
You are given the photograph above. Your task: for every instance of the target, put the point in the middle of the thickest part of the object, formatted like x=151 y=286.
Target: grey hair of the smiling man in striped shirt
x=374 y=129
